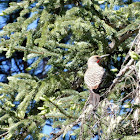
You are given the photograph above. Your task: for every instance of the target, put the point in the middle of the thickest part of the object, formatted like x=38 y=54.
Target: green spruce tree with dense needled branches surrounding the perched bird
x=66 y=34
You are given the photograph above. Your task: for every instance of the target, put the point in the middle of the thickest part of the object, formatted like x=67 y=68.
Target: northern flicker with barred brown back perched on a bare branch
x=94 y=76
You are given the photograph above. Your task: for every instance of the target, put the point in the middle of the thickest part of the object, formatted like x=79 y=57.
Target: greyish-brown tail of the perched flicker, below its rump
x=94 y=98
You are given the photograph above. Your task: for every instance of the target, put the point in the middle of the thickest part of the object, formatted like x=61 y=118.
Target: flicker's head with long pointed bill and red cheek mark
x=95 y=59
